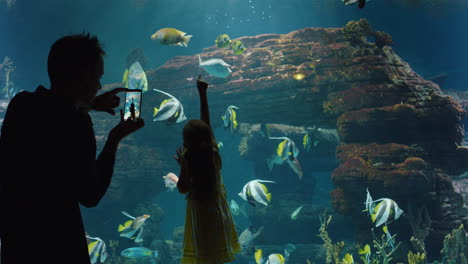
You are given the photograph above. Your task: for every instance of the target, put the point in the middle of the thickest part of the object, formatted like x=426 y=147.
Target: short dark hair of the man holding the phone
x=71 y=54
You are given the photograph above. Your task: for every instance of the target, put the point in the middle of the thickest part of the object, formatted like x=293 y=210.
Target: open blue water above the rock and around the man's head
x=431 y=38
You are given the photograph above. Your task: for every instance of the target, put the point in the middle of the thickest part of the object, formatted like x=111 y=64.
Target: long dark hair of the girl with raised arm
x=200 y=155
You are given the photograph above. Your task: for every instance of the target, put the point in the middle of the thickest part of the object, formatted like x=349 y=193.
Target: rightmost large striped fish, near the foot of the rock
x=382 y=211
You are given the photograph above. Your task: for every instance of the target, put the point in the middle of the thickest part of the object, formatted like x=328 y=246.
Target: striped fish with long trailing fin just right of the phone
x=170 y=110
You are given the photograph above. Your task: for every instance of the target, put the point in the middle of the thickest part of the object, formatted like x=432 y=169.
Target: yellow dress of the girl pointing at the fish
x=210 y=234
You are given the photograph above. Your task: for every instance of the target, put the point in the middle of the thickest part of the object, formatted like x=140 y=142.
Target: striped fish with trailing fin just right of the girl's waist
x=255 y=192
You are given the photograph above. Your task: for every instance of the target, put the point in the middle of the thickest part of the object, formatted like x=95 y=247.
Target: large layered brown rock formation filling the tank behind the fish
x=395 y=127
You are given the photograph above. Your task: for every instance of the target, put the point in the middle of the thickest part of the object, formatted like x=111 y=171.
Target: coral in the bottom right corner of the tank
x=455 y=246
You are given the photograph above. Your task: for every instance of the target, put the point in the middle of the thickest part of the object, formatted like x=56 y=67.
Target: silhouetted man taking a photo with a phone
x=48 y=157
